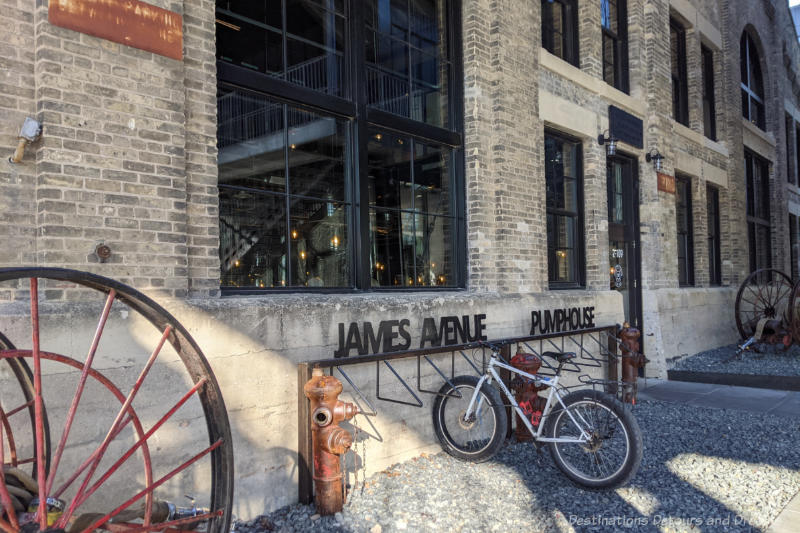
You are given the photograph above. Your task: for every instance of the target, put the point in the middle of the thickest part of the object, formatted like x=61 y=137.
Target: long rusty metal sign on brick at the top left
x=129 y=22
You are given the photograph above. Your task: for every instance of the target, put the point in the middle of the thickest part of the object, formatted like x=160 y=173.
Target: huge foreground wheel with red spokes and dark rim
x=136 y=414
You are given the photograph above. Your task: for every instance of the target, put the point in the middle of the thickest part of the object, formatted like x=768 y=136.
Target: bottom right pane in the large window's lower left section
x=319 y=243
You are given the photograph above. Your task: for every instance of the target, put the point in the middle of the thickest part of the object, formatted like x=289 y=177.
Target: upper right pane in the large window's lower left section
x=317 y=155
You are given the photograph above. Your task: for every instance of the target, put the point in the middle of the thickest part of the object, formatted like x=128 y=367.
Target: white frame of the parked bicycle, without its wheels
x=550 y=382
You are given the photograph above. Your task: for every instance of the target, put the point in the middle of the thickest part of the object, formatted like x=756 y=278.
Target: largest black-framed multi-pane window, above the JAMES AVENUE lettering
x=328 y=182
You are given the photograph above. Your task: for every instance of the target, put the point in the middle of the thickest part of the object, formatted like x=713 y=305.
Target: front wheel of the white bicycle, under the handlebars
x=476 y=440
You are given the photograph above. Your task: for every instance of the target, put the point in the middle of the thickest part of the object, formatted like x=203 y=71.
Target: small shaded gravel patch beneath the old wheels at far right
x=771 y=361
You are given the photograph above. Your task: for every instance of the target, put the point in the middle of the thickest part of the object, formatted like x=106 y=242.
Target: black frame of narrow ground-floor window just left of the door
x=578 y=273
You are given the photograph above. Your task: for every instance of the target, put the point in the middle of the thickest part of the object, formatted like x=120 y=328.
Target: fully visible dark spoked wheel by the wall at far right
x=764 y=294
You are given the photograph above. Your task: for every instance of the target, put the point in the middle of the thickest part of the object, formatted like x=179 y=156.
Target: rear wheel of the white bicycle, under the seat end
x=614 y=452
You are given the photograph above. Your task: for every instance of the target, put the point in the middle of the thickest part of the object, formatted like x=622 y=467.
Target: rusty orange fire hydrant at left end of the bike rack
x=328 y=439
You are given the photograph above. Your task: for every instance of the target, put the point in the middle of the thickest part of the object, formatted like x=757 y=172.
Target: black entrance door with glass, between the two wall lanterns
x=623 y=236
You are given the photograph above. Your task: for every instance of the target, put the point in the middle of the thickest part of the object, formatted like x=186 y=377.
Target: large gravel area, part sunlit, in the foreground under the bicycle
x=703 y=470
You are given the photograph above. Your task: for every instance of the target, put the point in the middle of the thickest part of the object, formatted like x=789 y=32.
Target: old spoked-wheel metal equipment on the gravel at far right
x=764 y=310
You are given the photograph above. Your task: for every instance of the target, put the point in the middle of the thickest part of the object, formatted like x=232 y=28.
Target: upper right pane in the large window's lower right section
x=432 y=179
